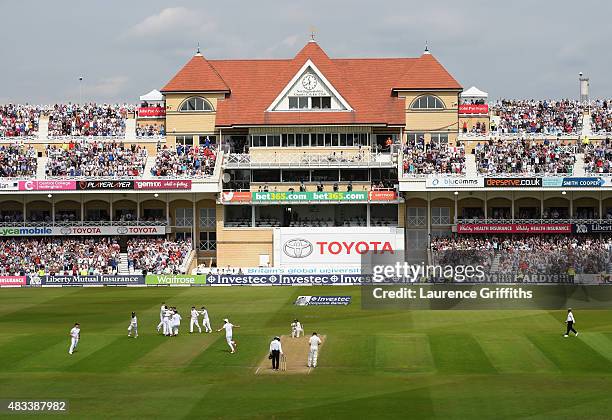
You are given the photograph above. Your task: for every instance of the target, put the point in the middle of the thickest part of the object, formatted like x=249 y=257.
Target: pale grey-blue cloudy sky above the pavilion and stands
x=123 y=49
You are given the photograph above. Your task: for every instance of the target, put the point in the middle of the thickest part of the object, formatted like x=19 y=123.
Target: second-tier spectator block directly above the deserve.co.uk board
x=524 y=157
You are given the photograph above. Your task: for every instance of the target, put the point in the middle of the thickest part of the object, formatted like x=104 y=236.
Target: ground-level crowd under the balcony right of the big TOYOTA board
x=526 y=255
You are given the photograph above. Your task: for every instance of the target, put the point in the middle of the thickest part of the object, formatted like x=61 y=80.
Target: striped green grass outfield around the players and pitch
x=426 y=364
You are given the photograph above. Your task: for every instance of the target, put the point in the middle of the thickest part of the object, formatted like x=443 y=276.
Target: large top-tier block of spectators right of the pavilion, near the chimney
x=531 y=116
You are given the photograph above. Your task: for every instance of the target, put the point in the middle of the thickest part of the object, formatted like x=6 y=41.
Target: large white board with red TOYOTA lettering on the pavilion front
x=343 y=246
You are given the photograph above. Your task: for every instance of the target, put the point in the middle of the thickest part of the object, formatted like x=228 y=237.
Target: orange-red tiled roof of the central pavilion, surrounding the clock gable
x=366 y=84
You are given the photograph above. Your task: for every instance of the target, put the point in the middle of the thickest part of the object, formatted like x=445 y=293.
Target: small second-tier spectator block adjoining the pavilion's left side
x=184 y=160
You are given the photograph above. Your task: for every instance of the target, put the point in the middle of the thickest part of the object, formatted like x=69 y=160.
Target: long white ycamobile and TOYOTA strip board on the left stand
x=82 y=230
